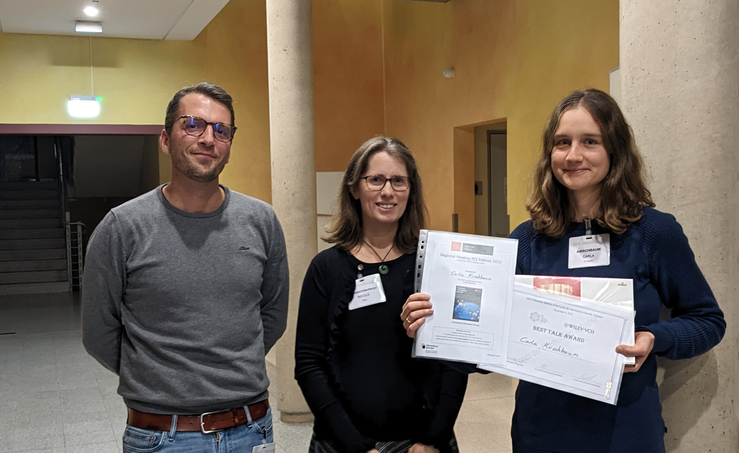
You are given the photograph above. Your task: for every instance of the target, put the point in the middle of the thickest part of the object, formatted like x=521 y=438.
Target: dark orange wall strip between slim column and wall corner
x=347 y=78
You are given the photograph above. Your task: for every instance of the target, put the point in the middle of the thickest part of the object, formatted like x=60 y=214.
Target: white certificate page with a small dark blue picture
x=470 y=281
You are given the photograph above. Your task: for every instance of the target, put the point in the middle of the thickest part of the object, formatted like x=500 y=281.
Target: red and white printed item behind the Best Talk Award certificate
x=618 y=292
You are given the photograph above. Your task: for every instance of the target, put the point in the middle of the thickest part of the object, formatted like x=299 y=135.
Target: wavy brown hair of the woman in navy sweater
x=624 y=193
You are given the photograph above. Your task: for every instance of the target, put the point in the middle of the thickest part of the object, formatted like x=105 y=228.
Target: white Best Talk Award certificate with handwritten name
x=566 y=344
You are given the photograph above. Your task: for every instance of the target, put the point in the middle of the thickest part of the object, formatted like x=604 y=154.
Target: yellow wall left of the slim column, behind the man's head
x=137 y=78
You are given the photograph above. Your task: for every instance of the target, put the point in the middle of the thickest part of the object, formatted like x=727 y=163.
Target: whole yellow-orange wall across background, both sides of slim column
x=514 y=59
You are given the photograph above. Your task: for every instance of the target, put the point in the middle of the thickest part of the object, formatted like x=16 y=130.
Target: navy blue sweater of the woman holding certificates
x=655 y=253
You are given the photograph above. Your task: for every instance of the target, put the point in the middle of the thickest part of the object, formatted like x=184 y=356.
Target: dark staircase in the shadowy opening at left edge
x=33 y=250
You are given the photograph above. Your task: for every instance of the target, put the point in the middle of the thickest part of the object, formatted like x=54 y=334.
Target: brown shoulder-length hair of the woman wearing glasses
x=345 y=227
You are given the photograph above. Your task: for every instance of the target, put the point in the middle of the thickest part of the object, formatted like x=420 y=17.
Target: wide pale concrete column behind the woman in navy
x=680 y=92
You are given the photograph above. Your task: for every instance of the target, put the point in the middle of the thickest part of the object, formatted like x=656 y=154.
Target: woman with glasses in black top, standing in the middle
x=353 y=360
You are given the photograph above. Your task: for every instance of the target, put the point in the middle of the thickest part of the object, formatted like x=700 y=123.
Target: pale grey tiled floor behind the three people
x=54 y=398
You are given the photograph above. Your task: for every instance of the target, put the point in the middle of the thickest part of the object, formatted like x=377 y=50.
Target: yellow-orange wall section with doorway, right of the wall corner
x=514 y=60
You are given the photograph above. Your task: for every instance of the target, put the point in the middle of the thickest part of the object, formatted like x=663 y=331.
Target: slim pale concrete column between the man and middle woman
x=289 y=57
